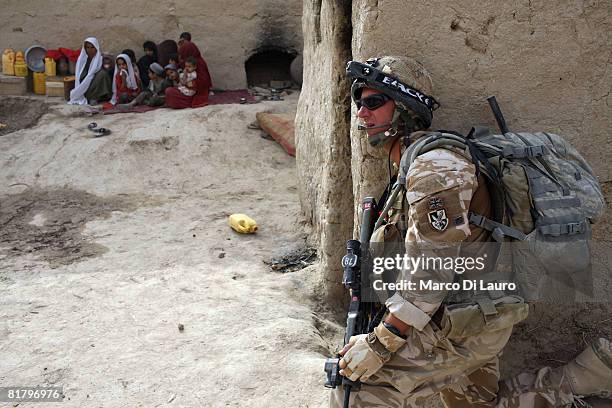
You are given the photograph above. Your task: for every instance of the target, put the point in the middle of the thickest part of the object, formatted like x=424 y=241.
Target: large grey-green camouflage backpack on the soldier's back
x=544 y=198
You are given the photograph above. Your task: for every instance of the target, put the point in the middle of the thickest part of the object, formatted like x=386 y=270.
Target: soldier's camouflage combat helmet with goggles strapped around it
x=404 y=80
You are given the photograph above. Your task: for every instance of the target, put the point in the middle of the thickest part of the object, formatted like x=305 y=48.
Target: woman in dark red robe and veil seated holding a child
x=177 y=100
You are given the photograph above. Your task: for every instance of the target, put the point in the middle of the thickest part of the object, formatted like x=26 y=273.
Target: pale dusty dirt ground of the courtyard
x=107 y=244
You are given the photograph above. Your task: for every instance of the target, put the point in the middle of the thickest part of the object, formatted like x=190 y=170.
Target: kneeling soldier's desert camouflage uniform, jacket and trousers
x=464 y=371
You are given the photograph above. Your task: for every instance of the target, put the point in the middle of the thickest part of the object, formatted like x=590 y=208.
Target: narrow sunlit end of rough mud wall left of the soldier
x=322 y=135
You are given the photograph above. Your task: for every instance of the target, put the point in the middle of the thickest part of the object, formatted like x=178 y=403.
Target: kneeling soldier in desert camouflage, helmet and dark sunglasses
x=407 y=358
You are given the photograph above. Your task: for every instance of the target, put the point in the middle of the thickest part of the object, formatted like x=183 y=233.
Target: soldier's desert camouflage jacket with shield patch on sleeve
x=441 y=188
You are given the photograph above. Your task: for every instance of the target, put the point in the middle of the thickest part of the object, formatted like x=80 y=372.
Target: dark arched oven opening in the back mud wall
x=269 y=65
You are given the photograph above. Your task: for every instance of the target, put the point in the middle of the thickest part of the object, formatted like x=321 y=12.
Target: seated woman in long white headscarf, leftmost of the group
x=92 y=84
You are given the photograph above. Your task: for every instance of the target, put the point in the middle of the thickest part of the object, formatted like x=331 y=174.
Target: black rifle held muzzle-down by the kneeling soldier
x=361 y=315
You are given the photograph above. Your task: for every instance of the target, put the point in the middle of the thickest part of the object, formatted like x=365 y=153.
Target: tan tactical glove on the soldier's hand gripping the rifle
x=369 y=352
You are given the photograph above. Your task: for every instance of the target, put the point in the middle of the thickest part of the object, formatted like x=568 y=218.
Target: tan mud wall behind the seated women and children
x=227 y=32
